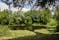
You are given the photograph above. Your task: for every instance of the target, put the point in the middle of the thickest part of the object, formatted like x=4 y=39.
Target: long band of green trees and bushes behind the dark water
x=41 y=17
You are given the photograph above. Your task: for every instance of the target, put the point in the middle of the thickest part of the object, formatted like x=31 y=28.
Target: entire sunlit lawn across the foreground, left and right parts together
x=10 y=34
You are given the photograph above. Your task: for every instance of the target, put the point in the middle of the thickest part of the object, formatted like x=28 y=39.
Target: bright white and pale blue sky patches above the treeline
x=3 y=6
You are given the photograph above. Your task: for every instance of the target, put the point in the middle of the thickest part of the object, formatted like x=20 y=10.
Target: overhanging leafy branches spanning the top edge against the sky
x=33 y=3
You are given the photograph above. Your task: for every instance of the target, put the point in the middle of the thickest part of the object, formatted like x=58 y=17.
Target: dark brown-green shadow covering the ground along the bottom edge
x=38 y=36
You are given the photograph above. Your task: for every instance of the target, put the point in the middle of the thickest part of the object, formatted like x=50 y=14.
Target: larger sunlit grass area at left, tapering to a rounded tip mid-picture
x=6 y=33
